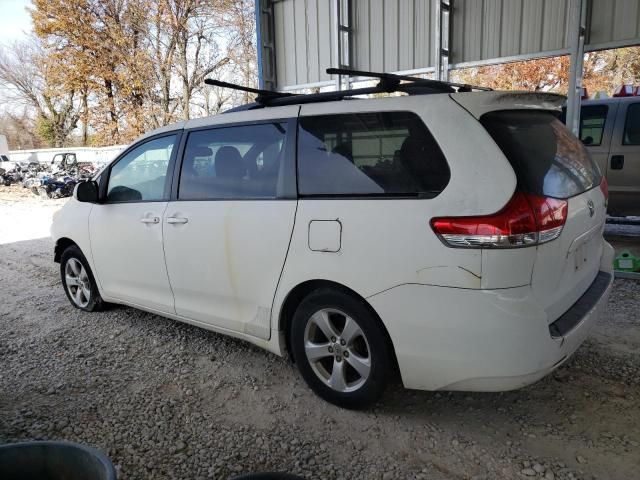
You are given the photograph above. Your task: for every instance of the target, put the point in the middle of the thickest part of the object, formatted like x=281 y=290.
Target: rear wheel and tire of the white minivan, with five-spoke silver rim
x=331 y=329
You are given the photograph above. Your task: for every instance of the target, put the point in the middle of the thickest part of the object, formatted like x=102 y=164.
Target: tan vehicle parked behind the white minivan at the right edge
x=610 y=129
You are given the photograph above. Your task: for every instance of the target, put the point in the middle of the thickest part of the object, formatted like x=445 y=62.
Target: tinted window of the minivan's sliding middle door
x=233 y=162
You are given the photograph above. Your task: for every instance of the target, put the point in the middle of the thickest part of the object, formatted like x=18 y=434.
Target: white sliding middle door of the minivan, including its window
x=227 y=233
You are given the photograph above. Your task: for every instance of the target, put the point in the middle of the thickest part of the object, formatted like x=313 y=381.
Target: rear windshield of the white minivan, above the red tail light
x=547 y=158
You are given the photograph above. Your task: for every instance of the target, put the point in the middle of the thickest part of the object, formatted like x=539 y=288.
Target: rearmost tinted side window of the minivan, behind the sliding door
x=383 y=153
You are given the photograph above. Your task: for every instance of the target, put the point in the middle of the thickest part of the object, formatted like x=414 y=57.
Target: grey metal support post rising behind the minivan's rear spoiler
x=577 y=33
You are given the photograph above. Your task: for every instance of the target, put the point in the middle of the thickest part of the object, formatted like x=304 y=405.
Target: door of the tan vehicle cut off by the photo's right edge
x=623 y=170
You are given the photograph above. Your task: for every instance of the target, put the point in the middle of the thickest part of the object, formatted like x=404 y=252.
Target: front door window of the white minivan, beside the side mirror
x=142 y=173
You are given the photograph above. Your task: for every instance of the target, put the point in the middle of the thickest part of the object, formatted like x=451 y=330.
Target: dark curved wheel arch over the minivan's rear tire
x=300 y=291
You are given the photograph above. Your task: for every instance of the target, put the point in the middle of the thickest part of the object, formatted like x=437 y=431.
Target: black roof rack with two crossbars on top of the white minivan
x=388 y=83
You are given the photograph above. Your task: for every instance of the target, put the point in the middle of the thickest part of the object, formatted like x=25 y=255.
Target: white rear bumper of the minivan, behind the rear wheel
x=484 y=340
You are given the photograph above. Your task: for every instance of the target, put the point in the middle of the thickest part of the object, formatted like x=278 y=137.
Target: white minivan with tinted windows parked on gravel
x=453 y=237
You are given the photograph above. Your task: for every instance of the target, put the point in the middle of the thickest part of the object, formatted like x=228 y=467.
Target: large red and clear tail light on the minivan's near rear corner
x=526 y=220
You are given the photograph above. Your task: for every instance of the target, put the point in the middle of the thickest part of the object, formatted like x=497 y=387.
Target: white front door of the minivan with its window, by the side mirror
x=126 y=229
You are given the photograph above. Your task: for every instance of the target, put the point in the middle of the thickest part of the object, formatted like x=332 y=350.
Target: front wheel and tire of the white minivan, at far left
x=78 y=281
